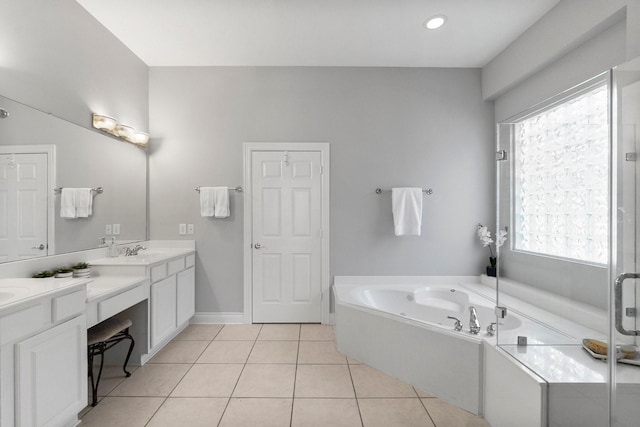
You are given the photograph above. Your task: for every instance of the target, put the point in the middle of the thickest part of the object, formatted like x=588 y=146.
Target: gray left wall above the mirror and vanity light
x=56 y=57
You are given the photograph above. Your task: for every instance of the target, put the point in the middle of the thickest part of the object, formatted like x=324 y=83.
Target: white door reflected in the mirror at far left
x=23 y=206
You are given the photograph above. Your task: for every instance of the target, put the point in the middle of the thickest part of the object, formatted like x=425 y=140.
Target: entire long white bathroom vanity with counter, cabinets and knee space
x=43 y=324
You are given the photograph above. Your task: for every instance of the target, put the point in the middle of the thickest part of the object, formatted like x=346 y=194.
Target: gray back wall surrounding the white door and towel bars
x=386 y=126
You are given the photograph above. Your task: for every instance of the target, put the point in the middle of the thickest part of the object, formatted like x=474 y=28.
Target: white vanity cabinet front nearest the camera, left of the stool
x=43 y=359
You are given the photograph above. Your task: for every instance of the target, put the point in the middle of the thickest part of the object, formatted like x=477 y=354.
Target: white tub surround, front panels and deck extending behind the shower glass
x=557 y=381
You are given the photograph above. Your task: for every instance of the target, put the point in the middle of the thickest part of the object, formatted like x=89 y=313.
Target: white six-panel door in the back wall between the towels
x=287 y=233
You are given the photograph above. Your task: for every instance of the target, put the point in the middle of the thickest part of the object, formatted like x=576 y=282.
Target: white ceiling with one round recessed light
x=316 y=32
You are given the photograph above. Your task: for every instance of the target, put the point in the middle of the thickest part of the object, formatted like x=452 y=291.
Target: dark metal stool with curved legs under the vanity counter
x=101 y=338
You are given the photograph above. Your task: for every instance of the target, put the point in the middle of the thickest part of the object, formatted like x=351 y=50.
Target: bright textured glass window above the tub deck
x=561 y=175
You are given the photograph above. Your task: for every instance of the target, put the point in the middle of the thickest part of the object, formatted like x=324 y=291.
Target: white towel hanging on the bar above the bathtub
x=406 y=205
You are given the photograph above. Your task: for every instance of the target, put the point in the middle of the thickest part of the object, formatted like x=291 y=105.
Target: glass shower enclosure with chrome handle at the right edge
x=568 y=195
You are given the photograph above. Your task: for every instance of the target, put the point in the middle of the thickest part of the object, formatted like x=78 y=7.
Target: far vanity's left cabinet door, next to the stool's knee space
x=163 y=309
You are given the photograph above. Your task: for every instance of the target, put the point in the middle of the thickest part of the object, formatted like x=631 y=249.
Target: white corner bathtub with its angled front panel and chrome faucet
x=400 y=326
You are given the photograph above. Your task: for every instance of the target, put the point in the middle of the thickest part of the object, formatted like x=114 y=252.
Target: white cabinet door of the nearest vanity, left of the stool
x=51 y=375
